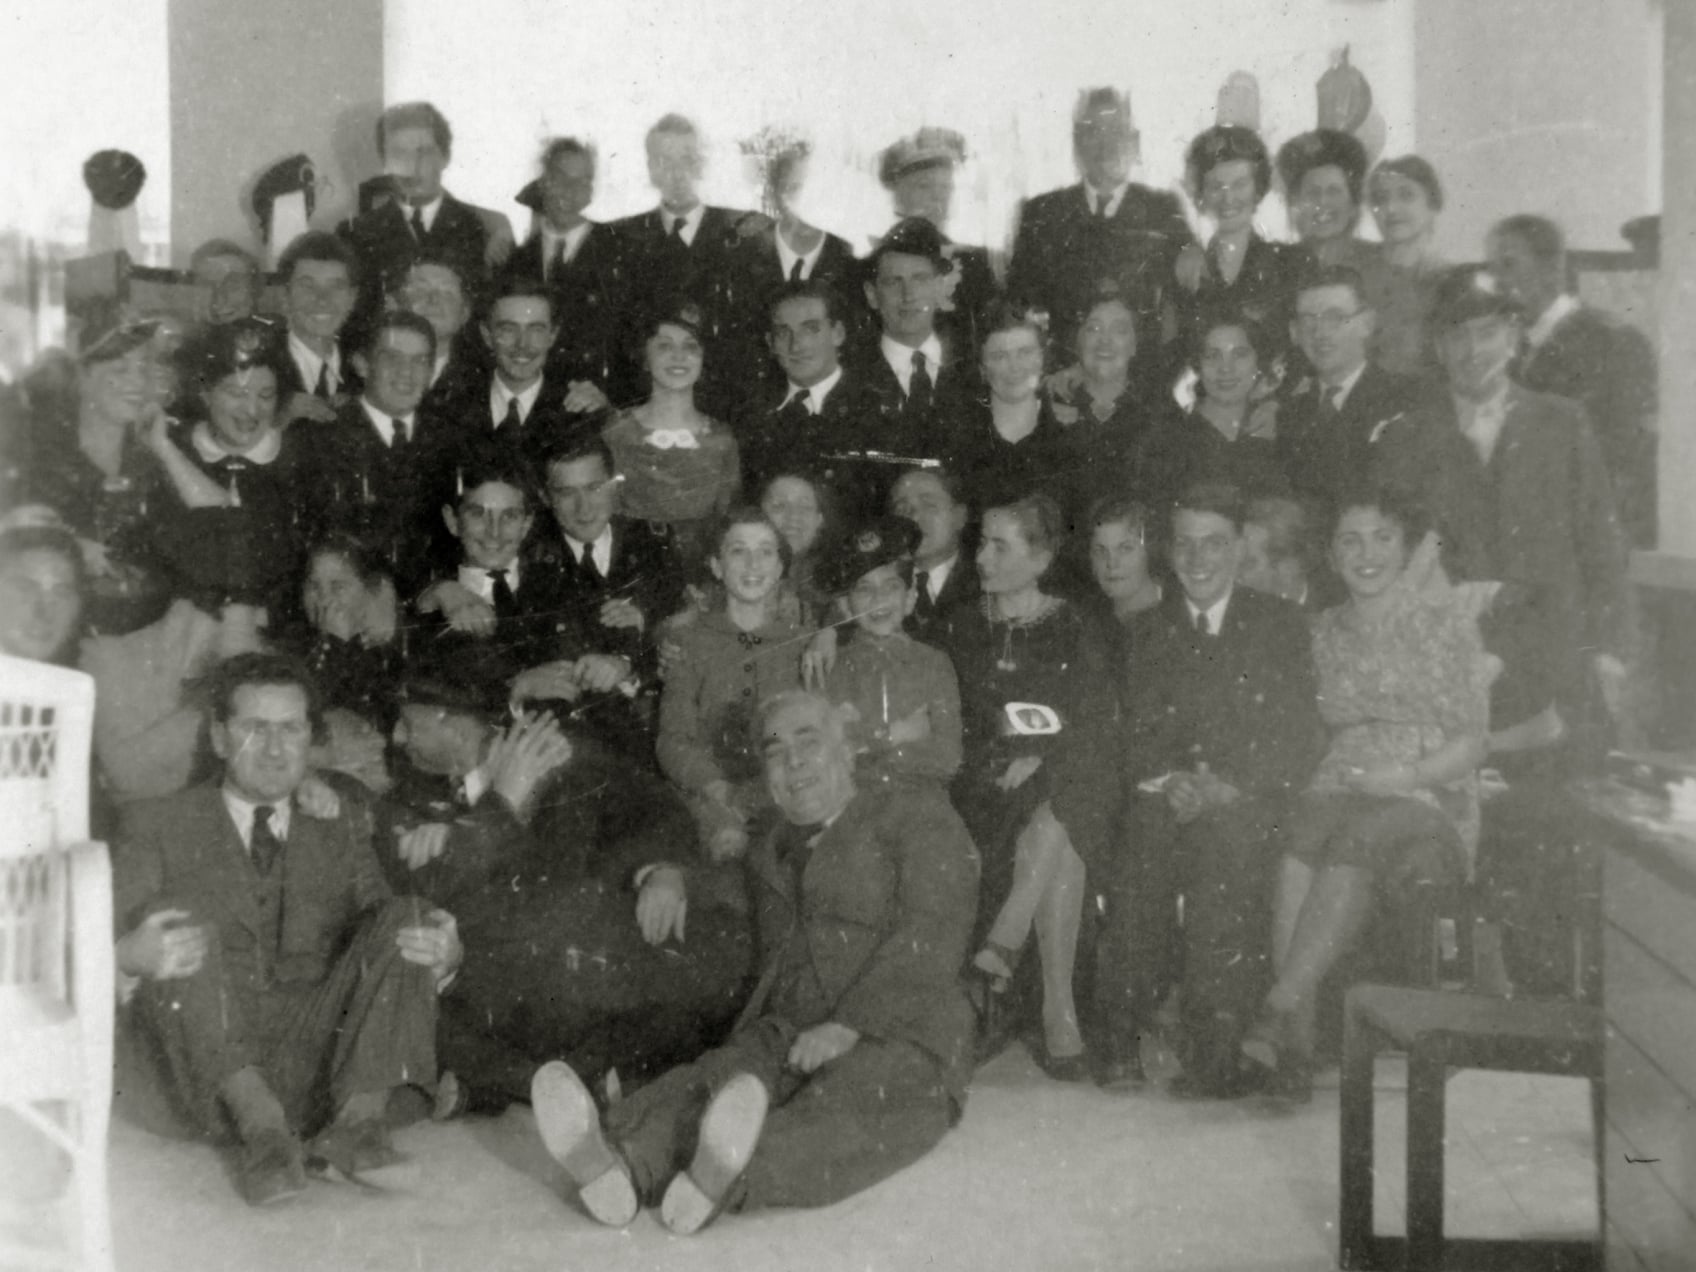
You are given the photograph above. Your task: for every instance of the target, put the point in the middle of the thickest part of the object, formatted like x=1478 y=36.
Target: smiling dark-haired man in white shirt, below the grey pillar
x=320 y=277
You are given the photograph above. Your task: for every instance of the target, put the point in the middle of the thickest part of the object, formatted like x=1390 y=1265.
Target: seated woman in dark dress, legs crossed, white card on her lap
x=1039 y=784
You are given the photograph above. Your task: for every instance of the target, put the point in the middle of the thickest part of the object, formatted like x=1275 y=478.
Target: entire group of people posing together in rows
x=722 y=691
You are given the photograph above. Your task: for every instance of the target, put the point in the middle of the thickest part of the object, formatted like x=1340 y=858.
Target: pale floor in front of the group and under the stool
x=1039 y=1176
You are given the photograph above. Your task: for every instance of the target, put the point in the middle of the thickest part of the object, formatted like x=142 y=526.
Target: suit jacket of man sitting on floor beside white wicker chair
x=184 y=852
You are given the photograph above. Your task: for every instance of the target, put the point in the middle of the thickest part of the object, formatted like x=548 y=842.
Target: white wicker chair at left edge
x=57 y=968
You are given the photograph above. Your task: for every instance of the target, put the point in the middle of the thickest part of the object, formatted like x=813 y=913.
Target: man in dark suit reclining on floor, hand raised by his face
x=532 y=835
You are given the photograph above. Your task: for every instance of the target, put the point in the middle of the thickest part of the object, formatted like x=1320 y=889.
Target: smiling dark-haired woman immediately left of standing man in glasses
x=1230 y=433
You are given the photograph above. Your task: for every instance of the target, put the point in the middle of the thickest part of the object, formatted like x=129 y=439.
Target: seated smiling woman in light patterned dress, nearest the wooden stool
x=1405 y=691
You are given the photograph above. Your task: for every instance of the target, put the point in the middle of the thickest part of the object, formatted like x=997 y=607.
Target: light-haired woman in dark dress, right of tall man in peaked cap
x=1012 y=445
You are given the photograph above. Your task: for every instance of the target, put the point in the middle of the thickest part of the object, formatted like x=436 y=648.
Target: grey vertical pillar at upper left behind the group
x=259 y=84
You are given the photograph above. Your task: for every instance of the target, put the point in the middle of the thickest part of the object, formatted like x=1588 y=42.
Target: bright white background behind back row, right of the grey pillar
x=857 y=75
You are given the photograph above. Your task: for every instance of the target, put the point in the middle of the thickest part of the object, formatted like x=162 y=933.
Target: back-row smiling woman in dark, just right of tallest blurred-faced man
x=1229 y=174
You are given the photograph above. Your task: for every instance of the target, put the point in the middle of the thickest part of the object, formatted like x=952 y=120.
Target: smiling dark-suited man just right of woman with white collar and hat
x=381 y=467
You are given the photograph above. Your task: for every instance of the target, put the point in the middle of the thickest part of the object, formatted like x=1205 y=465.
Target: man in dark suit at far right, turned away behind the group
x=1575 y=350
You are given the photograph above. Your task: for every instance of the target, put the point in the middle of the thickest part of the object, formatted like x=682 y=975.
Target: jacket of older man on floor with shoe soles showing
x=886 y=907
